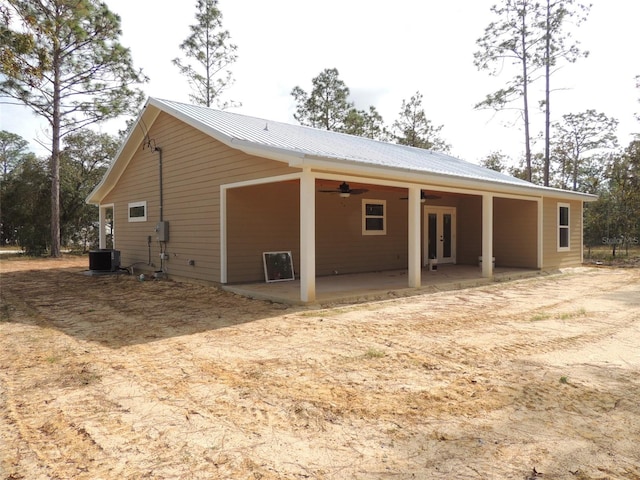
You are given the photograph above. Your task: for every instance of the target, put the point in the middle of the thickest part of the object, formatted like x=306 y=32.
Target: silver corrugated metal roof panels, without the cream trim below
x=237 y=129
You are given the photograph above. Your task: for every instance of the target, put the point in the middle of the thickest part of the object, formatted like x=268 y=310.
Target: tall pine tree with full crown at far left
x=74 y=74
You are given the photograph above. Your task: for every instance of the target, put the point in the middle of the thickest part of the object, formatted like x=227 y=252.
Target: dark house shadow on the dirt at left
x=120 y=310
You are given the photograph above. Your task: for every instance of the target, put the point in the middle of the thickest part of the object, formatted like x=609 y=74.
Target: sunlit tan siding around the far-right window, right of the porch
x=552 y=258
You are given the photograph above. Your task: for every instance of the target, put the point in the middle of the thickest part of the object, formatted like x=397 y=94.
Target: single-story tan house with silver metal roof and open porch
x=202 y=194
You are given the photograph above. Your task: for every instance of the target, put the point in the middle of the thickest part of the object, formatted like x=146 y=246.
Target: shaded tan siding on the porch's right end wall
x=515 y=233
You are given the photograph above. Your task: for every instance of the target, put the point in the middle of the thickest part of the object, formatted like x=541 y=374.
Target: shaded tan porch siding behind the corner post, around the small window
x=266 y=218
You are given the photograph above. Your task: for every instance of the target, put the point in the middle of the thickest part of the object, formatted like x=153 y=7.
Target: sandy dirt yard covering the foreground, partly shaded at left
x=113 y=378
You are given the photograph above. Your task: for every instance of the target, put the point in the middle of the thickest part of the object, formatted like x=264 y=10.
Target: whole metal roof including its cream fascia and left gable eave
x=302 y=146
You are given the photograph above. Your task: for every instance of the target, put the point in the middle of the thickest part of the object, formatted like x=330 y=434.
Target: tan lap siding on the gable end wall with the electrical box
x=194 y=167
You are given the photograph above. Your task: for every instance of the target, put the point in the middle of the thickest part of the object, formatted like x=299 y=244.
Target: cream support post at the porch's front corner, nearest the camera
x=307 y=237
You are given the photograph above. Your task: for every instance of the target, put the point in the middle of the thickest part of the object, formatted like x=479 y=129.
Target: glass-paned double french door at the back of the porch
x=439 y=234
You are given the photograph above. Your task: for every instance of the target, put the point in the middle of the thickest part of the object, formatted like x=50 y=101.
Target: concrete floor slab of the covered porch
x=362 y=287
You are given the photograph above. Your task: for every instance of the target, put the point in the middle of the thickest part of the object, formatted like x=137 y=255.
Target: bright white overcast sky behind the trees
x=385 y=52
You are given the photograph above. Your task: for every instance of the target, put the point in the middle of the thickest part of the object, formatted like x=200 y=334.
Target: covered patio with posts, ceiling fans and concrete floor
x=327 y=233
